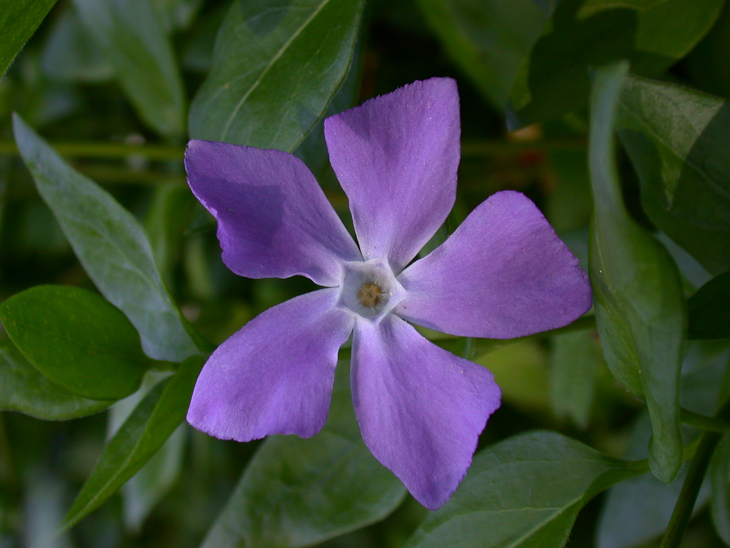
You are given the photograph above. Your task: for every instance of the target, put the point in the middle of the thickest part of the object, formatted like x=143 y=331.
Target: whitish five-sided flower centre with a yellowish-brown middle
x=369 y=289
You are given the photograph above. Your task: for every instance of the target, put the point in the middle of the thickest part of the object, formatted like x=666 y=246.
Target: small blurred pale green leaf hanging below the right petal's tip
x=573 y=368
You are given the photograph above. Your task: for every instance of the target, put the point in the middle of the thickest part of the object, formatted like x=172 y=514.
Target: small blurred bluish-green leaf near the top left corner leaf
x=67 y=56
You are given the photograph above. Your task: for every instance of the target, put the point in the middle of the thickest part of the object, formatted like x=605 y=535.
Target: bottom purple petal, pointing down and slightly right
x=420 y=408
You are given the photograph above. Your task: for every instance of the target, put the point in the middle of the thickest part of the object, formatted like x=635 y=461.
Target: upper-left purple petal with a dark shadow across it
x=273 y=218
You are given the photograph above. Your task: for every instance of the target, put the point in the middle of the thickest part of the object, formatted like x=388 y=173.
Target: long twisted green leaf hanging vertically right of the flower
x=640 y=309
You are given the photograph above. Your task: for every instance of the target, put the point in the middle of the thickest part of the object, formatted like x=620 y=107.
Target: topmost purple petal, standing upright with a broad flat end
x=396 y=158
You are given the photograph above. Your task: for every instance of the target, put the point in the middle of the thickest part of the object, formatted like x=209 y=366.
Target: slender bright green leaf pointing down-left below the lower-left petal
x=138 y=439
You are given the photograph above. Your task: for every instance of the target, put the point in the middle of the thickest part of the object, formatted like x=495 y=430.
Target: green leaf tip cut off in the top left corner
x=18 y=21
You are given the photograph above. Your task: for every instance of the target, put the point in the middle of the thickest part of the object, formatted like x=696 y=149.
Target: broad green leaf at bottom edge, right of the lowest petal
x=523 y=492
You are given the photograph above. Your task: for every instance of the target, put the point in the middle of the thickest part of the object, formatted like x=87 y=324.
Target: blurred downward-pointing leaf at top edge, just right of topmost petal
x=489 y=39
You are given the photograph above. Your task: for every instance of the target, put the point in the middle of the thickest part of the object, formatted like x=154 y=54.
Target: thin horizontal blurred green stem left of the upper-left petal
x=105 y=150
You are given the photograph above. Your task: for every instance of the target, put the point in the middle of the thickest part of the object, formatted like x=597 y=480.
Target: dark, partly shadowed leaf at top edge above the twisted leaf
x=583 y=34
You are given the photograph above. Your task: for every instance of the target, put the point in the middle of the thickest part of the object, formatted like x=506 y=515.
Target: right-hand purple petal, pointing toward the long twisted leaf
x=503 y=273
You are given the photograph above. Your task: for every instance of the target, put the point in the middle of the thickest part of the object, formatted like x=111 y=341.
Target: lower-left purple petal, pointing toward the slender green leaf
x=275 y=375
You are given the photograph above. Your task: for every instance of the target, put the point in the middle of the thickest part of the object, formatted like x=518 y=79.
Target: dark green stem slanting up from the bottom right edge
x=691 y=486
